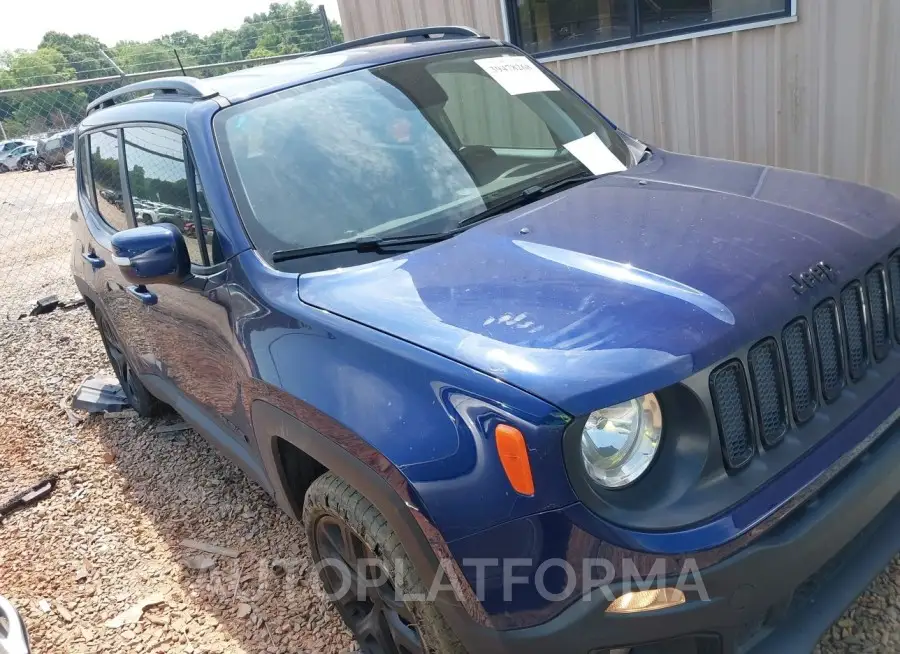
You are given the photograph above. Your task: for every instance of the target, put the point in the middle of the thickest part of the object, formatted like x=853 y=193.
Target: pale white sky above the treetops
x=24 y=23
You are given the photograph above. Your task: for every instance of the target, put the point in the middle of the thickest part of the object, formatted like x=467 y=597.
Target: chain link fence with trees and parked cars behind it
x=43 y=95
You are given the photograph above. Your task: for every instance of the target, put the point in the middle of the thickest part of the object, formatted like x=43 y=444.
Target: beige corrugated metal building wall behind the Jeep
x=819 y=94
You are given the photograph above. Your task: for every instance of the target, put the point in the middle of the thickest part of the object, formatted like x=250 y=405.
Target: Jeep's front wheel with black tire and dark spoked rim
x=332 y=506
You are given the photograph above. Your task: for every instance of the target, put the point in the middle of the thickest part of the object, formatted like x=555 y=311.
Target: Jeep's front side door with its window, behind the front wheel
x=188 y=326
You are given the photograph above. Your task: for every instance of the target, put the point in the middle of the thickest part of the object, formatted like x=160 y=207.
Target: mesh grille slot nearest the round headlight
x=732 y=402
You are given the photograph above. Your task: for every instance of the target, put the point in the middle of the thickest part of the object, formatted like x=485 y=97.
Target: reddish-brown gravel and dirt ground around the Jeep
x=111 y=536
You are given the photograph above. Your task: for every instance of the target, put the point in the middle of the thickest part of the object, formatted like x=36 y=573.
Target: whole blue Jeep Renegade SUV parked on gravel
x=529 y=384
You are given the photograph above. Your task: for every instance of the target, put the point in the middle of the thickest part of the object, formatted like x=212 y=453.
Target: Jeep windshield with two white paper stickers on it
x=406 y=149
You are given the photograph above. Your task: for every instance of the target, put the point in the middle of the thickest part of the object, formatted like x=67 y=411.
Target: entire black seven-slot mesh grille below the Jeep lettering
x=813 y=362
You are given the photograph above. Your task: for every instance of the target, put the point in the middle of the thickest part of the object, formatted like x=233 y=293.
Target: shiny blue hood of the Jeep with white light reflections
x=625 y=284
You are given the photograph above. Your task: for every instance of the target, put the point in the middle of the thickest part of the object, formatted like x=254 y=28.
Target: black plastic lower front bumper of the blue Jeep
x=778 y=594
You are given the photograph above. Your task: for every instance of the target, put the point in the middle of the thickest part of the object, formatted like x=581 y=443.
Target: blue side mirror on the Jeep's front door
x=152 y=254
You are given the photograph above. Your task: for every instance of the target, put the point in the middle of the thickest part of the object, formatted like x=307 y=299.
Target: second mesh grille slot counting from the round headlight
x=768 y=388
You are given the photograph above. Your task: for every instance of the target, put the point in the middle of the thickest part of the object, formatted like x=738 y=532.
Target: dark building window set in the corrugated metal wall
x=563 y=26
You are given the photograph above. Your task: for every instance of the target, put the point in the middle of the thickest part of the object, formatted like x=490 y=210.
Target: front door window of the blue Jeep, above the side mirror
x=157 y=176
